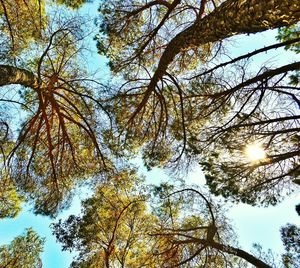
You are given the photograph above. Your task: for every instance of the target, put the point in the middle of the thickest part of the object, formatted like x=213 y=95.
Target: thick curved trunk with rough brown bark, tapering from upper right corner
x=231 y=18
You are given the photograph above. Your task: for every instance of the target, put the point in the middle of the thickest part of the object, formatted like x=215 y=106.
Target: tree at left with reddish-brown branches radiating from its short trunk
x=59 y=120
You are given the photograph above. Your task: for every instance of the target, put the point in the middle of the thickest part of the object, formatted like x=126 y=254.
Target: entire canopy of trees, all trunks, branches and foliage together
x=177 y=98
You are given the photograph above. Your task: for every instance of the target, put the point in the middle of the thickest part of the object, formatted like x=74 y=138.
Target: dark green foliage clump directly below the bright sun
x=234 y=177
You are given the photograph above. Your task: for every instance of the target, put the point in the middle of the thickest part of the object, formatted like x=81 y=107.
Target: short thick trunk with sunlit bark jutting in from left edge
x=13 y=75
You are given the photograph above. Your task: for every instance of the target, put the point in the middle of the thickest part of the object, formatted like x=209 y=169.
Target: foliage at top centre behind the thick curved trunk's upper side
x=133 y=33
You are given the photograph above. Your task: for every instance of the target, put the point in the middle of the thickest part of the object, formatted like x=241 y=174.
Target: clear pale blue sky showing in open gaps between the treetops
x=252 y=224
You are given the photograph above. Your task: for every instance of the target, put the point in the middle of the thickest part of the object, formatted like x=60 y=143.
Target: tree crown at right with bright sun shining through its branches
x=266 y=116
